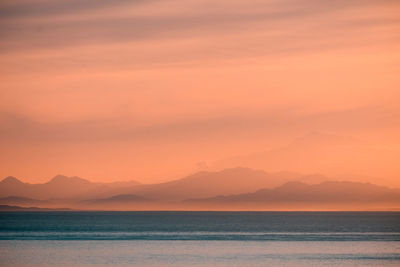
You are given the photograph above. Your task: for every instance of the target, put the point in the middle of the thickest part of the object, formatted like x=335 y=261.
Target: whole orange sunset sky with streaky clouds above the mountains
x=154 y=90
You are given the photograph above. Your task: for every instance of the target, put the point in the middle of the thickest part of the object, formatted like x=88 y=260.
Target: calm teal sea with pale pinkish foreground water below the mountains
x=166 y=238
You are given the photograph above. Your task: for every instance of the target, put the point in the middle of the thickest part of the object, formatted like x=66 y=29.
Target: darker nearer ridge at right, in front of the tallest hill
x=295 y=194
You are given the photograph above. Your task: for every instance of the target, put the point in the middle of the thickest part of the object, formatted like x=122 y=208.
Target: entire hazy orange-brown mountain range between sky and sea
x=236 y=188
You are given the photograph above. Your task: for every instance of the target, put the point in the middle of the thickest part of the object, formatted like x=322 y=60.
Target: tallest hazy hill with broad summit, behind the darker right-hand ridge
x=208 y=184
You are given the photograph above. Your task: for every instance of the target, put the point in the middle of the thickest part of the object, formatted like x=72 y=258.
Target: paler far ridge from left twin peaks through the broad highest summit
x=198 y=185
